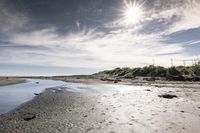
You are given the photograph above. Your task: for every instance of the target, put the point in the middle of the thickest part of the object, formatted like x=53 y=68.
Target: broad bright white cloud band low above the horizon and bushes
x=93 y=49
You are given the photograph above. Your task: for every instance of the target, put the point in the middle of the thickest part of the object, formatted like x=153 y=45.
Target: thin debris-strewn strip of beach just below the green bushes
x=139 y=81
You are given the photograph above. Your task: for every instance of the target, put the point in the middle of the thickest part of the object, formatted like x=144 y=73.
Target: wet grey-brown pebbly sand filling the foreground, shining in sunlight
x=134 y=110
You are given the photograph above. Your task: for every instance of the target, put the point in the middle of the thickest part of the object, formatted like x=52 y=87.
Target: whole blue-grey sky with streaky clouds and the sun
x=64 y=37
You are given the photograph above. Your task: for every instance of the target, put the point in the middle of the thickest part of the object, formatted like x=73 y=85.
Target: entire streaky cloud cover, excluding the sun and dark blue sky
x=101 y=46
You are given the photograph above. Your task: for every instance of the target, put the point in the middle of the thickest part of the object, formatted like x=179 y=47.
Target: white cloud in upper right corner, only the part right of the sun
x=178 y=15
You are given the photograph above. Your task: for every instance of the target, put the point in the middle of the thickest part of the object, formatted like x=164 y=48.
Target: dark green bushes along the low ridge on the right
x=156 y=71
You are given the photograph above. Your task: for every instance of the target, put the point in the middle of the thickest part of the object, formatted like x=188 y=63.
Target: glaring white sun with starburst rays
x=132 y=13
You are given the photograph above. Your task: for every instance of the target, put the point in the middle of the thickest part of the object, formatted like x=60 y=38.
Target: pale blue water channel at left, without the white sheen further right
x=13 y=95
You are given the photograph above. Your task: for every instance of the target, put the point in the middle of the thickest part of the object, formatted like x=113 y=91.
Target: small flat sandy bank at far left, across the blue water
x=10 y=80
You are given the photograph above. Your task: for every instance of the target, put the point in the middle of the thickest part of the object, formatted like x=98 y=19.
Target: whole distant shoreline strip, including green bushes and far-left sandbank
x=138 y=76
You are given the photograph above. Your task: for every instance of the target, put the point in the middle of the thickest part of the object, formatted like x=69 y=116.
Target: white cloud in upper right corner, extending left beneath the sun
x=174 y=15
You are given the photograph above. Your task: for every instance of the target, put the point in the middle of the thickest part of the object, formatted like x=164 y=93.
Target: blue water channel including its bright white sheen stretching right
x=13 y=95
